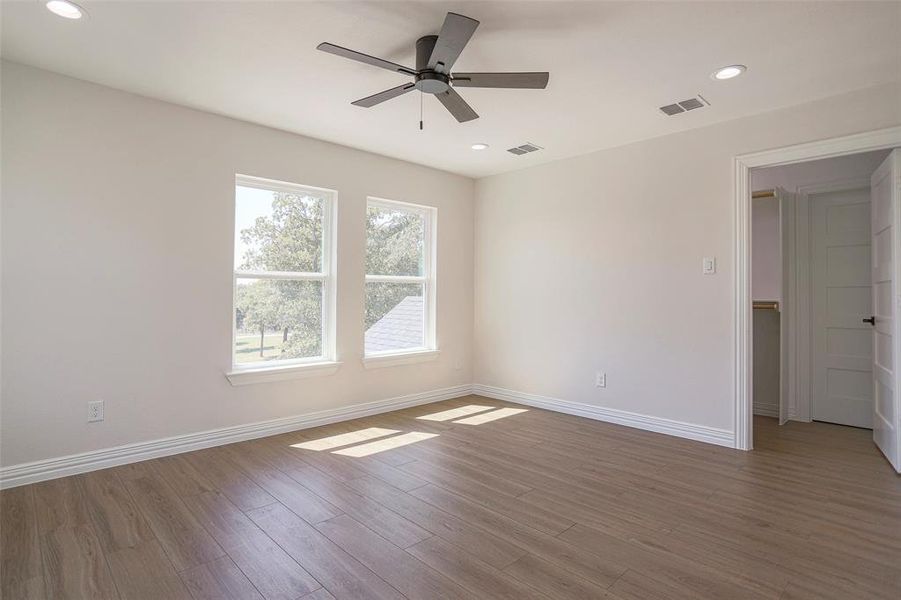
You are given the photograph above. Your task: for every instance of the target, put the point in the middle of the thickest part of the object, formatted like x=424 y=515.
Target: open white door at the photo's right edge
x=886 y=194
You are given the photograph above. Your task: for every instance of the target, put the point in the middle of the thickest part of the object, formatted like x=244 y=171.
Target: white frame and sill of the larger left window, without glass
x=327 y=362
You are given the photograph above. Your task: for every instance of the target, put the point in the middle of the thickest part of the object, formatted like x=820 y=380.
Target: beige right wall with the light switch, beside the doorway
x=594 y=263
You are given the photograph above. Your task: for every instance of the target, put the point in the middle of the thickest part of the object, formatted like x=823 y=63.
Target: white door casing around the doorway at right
x=881 y=139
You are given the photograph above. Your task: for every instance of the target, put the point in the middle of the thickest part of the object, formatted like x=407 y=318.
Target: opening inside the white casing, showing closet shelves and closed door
x=811 y=285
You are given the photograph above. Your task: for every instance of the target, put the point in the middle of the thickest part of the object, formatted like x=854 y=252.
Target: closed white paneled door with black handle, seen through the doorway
x=841 y=298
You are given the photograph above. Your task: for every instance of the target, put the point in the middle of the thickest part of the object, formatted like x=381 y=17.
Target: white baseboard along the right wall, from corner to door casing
x=701 y=433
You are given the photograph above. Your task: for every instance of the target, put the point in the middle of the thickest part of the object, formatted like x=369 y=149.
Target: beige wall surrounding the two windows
x=117 y=257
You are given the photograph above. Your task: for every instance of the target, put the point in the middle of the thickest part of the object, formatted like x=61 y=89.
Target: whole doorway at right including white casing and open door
x=815 y=266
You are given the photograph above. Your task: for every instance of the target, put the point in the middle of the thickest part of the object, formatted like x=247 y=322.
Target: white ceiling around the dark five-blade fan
x=611 y=65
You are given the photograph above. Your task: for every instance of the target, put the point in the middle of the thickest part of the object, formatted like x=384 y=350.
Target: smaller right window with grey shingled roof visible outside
x=400 y=278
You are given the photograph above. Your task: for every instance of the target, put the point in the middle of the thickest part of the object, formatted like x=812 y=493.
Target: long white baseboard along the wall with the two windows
x=52 y=468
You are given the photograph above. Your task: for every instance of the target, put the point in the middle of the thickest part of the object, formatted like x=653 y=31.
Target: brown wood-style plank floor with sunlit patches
x=531 y=505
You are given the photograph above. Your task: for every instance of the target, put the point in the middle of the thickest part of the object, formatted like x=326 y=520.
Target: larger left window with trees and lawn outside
x=284 y=275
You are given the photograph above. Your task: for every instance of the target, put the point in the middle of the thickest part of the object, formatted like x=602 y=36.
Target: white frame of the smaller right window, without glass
x=429 y=280
